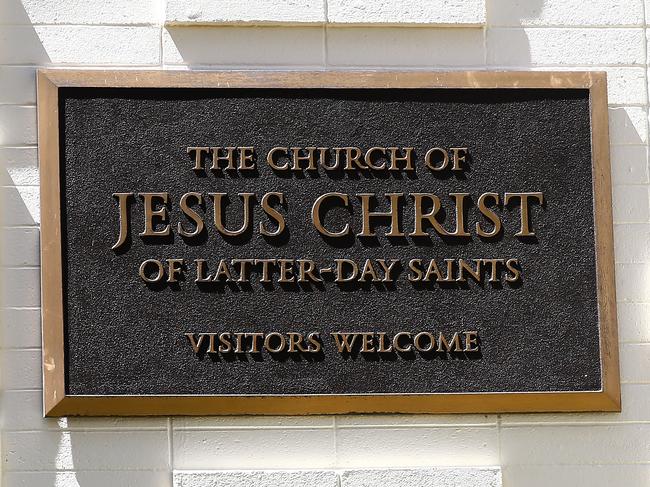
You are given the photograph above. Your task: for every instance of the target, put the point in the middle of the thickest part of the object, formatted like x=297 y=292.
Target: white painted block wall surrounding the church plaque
x=605 y=449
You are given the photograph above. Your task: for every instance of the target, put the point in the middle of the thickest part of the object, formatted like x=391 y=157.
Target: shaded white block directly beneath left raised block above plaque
x=243 y=46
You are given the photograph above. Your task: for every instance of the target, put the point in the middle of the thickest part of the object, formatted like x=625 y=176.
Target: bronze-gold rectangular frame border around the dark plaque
x=57 y=403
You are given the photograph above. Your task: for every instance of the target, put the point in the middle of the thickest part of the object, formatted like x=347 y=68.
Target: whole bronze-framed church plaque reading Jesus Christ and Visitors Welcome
x=335 y=242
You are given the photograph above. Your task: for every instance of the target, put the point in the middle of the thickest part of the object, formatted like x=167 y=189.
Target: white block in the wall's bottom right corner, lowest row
x=574 y=475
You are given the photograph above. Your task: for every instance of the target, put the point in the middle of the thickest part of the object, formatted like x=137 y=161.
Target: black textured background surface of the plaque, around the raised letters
x=123 y=337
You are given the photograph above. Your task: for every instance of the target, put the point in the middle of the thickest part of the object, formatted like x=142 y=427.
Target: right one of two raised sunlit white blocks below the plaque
x=424 y=477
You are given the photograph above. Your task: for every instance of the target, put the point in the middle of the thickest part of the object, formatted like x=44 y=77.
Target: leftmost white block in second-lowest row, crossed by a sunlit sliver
x=85 y=450
